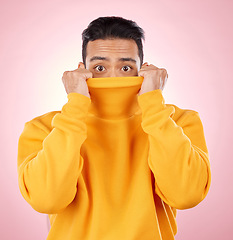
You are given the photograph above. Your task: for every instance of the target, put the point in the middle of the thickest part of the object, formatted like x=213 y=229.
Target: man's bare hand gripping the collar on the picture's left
x=75 y=81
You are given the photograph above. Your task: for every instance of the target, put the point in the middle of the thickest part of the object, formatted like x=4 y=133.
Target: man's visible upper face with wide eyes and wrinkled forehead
x=112 y=58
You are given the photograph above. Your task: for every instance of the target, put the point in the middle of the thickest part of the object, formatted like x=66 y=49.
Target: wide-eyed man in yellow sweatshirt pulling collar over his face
x=116 y=162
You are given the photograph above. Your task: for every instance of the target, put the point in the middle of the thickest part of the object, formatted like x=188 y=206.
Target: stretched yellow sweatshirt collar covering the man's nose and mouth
x=114 y=97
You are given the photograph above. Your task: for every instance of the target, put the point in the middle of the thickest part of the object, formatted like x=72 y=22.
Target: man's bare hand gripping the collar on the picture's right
x=154 y=78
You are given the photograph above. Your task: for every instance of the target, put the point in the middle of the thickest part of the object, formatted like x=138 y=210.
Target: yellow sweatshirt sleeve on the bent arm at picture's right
x=178 y=156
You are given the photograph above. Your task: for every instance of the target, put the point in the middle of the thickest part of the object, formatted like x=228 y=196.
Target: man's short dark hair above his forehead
x=112 y=28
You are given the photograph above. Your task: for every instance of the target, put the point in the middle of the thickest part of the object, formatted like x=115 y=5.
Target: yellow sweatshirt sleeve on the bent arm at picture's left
x=49 y=160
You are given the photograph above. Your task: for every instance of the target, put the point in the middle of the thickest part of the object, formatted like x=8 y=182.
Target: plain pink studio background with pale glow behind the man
x=191 y=39
